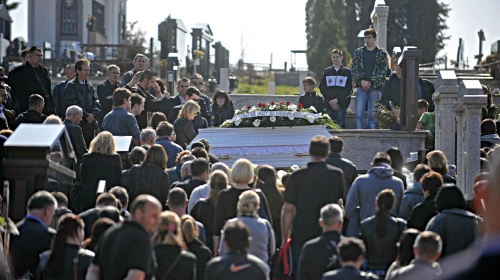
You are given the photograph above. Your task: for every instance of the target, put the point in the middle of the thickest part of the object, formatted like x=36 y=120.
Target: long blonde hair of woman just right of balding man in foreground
x=169 y=230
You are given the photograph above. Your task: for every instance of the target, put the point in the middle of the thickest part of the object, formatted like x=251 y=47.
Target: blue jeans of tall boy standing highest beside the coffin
x=361 y=96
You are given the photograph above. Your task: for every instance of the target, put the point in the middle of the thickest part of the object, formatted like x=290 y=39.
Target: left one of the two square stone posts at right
x=444 y=98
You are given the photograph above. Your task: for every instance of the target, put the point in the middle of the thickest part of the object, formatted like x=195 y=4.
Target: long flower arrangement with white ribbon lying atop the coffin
x=278 y=114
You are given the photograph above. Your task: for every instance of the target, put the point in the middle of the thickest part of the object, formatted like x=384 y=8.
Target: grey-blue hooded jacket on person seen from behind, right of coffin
x=366 y=187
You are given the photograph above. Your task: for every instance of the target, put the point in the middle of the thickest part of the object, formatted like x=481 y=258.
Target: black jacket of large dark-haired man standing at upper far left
x=24 y=83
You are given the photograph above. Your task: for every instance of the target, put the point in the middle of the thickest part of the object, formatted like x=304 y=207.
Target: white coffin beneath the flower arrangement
x=279 y=146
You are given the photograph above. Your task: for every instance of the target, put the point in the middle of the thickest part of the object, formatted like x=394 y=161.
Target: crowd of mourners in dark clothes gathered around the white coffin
x=176 y=213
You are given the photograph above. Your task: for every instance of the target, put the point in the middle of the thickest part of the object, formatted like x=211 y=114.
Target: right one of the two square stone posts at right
x=471 y=100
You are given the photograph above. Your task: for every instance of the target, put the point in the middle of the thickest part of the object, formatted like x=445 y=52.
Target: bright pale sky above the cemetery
x=265 y=27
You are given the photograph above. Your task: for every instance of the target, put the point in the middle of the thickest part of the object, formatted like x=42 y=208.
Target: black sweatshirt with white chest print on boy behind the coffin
x=343 y=94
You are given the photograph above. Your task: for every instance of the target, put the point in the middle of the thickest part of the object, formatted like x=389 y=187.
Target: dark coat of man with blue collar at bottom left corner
x=33 y=239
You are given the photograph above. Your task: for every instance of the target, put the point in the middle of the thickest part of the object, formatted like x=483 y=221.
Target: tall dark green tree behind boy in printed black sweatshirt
x=325 y=31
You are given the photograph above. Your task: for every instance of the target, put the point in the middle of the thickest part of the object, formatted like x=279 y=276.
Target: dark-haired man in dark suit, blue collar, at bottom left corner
x=34 y=234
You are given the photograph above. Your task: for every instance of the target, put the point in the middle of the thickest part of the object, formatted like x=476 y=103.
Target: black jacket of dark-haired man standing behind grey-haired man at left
x=75 y=96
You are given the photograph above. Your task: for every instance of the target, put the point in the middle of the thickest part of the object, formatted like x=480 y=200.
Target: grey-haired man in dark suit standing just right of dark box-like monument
x=74 y=116
